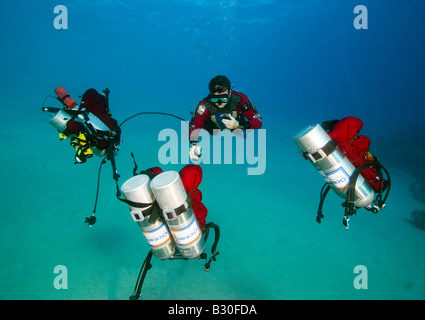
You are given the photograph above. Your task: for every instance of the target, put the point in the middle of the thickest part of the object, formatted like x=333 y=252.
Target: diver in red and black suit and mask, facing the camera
x=223 y=108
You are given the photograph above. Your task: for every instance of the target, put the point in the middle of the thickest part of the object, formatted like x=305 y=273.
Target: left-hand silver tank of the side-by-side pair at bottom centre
x=149 y=219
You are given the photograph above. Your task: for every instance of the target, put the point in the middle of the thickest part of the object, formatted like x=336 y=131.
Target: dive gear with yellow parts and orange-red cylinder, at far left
x=89 y=125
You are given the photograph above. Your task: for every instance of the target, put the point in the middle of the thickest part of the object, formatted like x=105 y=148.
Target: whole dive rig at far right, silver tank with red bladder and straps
x=342 y=157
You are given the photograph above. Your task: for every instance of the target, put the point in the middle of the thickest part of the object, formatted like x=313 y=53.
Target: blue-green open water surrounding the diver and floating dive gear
x=300 y=62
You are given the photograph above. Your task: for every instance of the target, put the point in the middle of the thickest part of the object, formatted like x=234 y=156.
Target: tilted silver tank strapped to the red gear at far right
x=334 y=167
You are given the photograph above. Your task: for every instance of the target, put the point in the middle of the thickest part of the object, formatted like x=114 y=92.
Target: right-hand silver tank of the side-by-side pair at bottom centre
x=172 y=198
